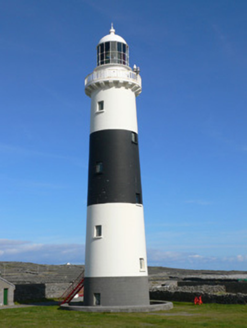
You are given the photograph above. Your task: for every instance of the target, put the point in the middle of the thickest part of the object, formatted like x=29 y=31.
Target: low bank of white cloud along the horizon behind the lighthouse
x=25 y=251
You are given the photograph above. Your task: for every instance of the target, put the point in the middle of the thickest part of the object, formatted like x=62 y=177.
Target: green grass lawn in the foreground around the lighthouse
x=183 y=315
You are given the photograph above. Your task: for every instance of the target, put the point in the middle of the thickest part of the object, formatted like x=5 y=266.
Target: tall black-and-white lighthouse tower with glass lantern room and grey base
x=116 y=262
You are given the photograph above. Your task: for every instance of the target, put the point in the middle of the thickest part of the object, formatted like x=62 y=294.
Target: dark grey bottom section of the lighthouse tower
x=116 y=291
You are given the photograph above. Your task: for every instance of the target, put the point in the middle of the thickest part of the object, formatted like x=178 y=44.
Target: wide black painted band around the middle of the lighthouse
x=114 y=168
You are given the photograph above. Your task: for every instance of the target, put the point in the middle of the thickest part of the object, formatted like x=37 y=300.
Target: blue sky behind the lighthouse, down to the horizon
x=192 y=126
